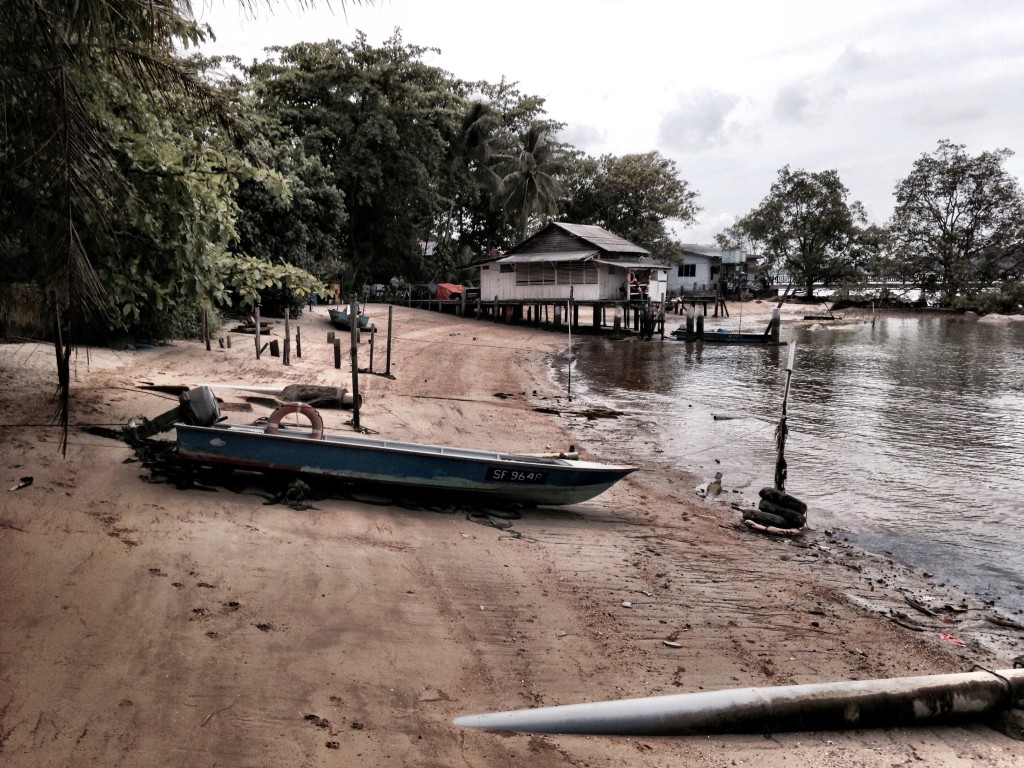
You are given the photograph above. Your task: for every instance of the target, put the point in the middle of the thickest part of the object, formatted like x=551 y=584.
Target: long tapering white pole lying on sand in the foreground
x=793 y=708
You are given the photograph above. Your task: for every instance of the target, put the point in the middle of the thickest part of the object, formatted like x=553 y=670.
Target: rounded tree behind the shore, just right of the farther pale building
x=806 y=225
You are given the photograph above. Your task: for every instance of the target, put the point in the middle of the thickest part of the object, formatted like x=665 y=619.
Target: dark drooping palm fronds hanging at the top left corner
x=60 y=179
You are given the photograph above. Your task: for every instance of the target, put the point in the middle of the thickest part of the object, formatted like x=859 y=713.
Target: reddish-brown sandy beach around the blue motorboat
x=143 y=625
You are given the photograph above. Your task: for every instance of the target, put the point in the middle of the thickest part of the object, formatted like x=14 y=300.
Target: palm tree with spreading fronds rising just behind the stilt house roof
x=530 y=186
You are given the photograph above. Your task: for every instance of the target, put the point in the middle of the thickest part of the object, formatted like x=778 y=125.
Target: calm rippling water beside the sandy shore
x=909 y=434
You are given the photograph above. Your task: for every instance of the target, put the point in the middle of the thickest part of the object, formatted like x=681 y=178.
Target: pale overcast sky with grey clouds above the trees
x=732 y=91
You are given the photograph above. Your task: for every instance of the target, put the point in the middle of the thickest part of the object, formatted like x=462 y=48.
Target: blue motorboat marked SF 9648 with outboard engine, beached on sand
x=407 y=467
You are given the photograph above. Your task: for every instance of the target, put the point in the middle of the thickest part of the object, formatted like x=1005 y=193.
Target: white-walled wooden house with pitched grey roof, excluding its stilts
x=592 y=263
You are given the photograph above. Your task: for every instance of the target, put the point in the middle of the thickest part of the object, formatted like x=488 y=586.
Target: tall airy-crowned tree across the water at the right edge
x=959 y=222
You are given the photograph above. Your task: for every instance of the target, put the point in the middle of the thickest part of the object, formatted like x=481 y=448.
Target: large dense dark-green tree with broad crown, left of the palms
x=378 y=120
